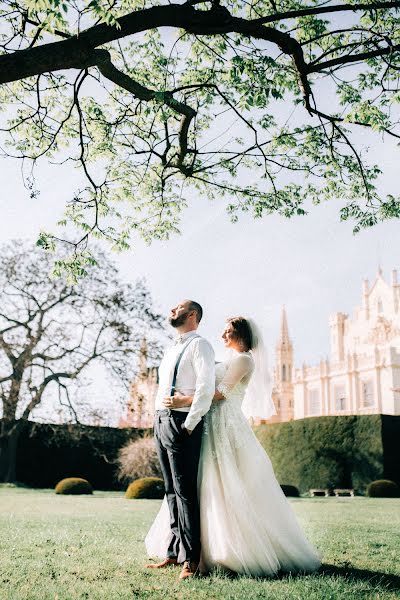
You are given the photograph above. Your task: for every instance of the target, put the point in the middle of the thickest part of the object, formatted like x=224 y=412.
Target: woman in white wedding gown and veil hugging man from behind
x=247 y=525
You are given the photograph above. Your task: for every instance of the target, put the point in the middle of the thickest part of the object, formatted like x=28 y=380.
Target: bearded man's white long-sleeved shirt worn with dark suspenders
x=196 y=376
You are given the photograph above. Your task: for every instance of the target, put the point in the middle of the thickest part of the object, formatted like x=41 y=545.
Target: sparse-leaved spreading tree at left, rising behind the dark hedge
x=51 y=333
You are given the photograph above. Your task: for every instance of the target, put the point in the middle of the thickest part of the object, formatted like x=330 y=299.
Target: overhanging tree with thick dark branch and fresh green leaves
x=234 y=99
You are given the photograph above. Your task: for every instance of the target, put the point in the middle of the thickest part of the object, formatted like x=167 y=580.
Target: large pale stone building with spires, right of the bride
x=362 y=374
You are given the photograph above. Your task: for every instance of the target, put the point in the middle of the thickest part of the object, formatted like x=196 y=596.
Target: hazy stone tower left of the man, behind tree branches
x=142 y=394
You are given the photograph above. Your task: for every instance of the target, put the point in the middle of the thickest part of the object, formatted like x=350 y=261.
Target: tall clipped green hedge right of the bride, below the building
x=334 y=452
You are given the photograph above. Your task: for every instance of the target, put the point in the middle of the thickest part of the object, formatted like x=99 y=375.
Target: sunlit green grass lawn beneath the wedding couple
x=65 y=547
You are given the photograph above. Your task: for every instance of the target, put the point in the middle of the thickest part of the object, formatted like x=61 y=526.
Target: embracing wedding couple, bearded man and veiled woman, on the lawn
x=223 y=506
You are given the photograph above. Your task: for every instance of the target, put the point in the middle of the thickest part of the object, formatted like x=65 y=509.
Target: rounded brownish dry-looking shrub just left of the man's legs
x=138 y=459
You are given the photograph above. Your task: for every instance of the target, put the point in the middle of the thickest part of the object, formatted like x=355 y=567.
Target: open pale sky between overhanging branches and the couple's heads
x=314 y=265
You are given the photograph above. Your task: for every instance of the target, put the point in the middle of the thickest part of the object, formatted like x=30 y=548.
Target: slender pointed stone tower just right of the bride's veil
x=282 y=392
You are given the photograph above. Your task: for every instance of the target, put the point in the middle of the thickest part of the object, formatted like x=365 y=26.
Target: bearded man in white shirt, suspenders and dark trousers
x=187 y=367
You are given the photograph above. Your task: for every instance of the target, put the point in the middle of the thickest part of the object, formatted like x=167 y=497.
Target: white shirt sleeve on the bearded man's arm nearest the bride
x=204 y=367
